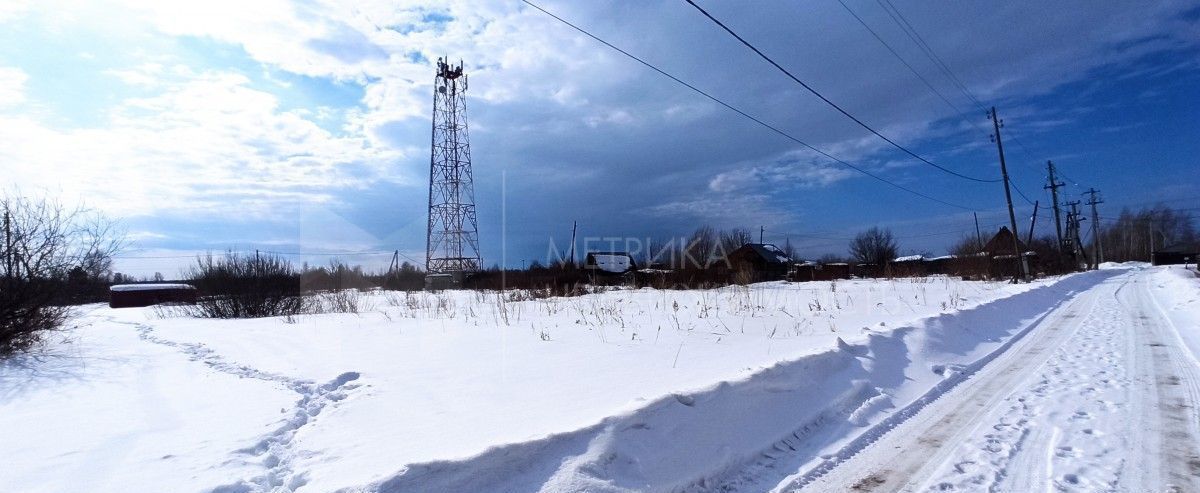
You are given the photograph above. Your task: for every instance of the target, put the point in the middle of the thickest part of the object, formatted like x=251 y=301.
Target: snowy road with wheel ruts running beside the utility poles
x=1101 y=396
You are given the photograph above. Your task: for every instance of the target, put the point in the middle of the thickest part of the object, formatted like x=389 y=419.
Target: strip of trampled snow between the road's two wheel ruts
x=1048 y=434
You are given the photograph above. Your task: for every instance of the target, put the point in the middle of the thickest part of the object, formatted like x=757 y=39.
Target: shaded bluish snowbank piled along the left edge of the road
x=807 y=414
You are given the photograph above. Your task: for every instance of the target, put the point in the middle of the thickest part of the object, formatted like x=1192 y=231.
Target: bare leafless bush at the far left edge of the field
x=45 y=245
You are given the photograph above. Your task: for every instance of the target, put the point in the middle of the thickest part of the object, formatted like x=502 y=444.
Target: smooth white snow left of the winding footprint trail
x=104 y=411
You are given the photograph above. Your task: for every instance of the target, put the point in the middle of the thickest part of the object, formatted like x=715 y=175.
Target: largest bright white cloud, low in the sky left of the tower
x=209 y=145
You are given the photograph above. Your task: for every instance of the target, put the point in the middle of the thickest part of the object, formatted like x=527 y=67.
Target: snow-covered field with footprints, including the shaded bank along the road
x=741 y=389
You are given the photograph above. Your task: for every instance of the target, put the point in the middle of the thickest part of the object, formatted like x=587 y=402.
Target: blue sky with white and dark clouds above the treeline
x=304 y=127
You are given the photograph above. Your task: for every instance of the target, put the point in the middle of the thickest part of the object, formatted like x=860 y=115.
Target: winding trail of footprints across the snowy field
x=275 y=450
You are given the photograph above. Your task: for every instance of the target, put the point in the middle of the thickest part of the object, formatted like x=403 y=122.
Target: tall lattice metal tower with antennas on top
x=453 y=238
